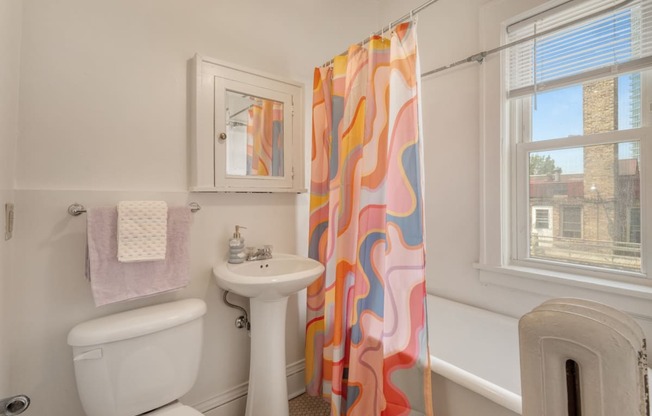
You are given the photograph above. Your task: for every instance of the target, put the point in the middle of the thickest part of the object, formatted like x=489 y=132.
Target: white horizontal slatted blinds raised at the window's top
x=613 y=43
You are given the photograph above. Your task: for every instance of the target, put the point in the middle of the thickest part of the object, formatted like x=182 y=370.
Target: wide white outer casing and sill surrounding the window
x=496 y=263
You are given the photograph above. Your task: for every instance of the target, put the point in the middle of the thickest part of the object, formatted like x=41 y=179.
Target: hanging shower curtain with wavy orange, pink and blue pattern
x=366 y=340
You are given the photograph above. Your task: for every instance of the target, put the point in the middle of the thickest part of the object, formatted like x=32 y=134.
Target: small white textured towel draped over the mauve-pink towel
x=142 y=230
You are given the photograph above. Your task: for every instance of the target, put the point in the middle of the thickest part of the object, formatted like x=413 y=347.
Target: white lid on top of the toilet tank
x=137 y=322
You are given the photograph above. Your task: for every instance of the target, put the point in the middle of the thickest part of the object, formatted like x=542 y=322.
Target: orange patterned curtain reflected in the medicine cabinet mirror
x=265 y=139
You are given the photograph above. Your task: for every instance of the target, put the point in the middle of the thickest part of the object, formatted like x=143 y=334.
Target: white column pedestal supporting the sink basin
x=268 y=392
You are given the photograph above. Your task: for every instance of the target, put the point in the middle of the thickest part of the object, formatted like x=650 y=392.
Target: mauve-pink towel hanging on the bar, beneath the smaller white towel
x=113 y=281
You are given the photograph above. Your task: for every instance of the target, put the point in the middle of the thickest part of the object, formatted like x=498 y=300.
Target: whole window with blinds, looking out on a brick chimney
x=575 y=100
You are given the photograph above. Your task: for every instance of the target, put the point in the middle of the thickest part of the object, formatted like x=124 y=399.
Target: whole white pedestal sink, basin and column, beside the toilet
x=268 y=283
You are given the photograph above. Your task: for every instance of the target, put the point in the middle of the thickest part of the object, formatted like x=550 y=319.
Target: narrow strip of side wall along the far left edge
x=10 y=18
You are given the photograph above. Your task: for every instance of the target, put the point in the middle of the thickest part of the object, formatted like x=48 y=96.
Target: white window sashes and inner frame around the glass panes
x=516 y=132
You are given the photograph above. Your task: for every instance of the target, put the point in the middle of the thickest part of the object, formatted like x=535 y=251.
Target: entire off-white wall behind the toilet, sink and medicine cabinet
x=104 y=118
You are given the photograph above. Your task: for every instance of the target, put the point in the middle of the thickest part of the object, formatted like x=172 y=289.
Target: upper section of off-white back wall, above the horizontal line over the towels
x=110 y=78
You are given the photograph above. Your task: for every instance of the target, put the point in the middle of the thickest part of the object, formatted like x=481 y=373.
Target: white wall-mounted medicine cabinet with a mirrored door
x=246 y=130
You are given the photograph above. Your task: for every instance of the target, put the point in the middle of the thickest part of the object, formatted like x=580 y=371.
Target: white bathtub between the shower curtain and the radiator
x=474 y=359
